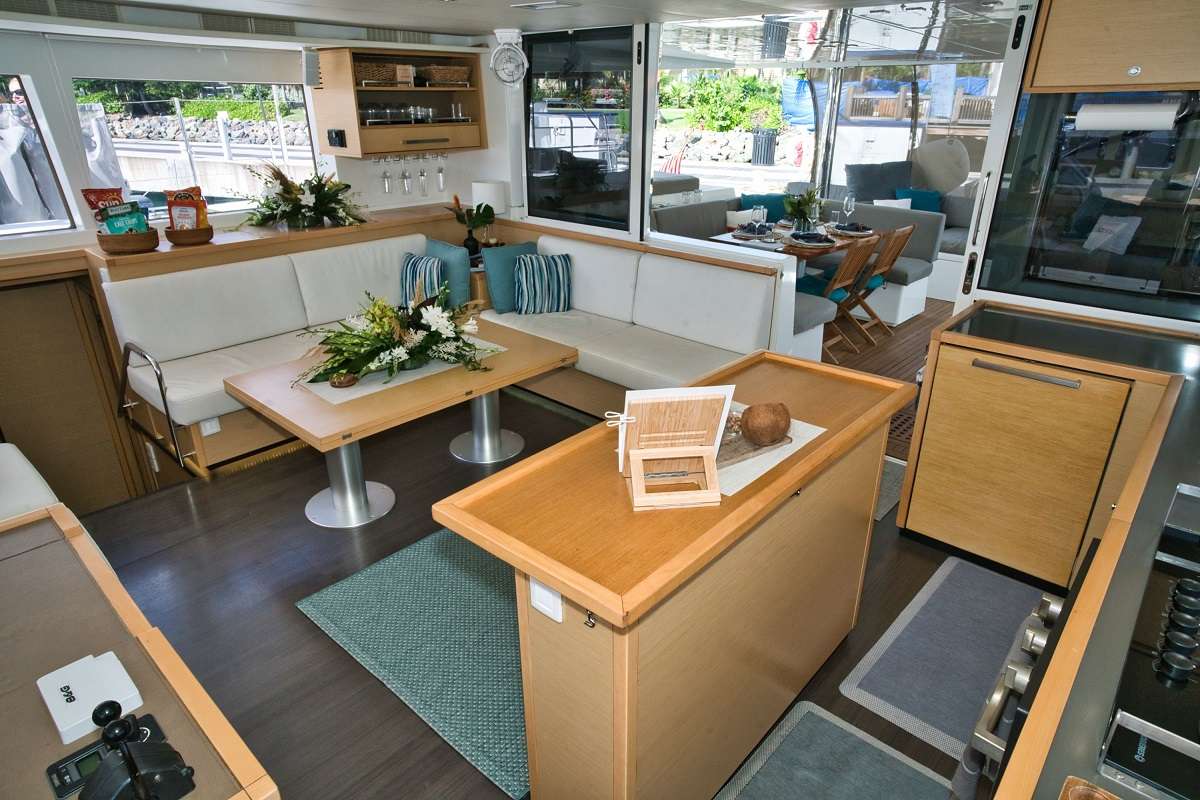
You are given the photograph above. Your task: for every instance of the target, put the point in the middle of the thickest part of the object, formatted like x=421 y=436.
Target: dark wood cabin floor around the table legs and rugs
x=219 y=568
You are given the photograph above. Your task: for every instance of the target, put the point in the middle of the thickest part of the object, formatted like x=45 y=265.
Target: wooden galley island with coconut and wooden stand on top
x=686 y=633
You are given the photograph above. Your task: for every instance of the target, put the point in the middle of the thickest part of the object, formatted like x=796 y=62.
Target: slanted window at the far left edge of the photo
x=31 y=196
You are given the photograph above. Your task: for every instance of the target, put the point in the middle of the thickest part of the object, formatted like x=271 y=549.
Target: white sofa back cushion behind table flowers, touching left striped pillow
x=333 y=281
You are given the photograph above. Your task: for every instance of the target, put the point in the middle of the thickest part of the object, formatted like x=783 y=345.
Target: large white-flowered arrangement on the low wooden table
x=392 y=339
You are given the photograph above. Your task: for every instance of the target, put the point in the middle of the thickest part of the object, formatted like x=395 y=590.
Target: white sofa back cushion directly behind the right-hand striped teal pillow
x=603 y=278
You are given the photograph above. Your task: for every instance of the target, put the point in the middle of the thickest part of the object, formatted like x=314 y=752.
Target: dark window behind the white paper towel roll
x=1099 y=203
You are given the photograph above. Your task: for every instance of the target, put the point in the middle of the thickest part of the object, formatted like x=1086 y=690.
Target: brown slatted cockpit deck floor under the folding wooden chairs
x=897 y=357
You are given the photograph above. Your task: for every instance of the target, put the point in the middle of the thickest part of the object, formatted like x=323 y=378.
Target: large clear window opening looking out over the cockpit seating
x=770 y=105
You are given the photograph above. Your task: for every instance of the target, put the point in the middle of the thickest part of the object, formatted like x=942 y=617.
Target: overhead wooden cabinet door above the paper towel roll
x=1117 y=44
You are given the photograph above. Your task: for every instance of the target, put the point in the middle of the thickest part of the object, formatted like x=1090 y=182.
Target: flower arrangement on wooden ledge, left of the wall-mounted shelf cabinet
x=308 y=204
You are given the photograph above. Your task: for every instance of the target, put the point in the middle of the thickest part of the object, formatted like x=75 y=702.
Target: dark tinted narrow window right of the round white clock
x=579 y=148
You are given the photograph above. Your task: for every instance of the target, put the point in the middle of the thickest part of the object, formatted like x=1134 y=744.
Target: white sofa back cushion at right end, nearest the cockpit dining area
x=712 y=305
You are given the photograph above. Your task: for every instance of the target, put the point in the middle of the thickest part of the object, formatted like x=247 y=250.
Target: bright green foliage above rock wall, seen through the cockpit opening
x=733 y=103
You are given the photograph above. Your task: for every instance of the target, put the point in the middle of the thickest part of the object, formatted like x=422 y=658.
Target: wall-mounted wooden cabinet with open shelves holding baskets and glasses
x=386 y=103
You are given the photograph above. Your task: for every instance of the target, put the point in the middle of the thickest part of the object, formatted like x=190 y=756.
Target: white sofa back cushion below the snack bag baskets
x=196 y=311
